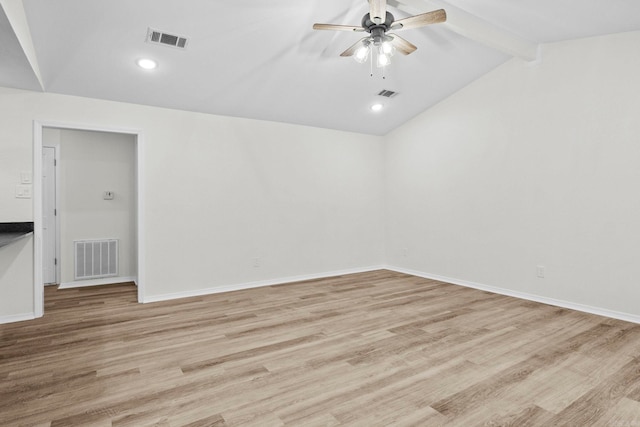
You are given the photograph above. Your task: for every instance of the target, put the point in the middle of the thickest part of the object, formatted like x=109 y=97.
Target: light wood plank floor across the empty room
x=371 y=349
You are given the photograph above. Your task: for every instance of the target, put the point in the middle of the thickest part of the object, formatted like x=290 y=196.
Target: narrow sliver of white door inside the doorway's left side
x=49 y=242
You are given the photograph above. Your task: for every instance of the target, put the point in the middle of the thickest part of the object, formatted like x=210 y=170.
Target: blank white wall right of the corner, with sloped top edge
x=530 y=165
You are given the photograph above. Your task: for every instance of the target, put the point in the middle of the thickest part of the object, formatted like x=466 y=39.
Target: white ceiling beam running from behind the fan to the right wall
x=475 y=28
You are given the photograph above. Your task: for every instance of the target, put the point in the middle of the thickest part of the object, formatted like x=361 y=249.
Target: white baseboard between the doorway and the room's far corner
x=257 y=284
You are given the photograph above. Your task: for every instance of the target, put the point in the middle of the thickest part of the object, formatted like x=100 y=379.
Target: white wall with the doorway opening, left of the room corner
x=220 y=191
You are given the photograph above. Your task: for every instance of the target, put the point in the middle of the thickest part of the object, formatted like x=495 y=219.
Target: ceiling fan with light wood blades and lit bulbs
x=377 y=23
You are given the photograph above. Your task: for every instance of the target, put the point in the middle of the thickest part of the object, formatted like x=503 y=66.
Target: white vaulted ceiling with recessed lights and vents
x=261 y=59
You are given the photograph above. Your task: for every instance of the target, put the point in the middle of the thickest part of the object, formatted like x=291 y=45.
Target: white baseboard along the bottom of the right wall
x=523 y=295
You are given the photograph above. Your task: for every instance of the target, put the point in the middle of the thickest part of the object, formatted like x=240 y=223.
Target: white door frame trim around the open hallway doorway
x=38 y=284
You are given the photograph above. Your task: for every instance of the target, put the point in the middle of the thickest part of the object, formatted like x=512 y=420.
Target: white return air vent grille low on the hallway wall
x=96 y=258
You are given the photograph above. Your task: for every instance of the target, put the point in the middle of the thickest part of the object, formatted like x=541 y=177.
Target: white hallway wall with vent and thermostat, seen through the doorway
x=90 y=163
